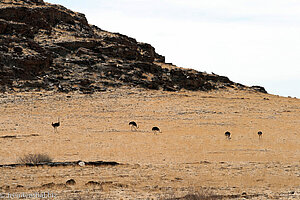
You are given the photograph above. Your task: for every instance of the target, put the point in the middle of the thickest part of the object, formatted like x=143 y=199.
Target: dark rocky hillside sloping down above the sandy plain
x=48 y=47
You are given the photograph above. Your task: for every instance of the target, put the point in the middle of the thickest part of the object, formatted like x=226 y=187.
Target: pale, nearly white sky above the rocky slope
x=253 y=42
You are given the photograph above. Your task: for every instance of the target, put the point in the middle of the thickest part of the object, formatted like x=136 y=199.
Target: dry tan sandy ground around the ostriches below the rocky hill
x=191 y=155
